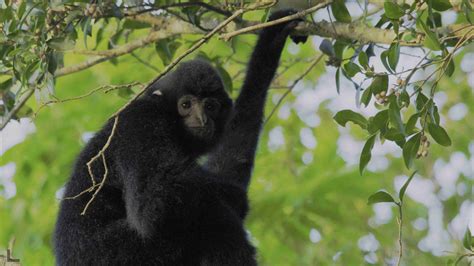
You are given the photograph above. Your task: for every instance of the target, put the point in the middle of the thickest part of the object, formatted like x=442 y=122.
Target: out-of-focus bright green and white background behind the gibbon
x=308 y=200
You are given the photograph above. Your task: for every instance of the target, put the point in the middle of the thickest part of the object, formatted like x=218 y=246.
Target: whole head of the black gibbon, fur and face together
x=195 y=93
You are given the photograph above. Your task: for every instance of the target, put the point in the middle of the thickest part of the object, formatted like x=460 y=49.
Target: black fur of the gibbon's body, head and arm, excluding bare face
x=158 y=206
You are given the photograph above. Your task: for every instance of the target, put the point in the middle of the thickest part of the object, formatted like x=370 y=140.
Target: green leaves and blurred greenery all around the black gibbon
x=59 y=51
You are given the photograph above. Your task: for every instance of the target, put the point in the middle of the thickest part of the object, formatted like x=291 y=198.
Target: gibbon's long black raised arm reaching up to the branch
x=234 y=158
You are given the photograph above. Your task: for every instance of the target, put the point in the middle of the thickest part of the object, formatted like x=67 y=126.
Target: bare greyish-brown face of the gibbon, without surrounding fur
x=200 y=115
